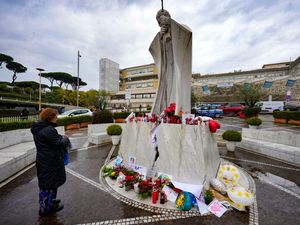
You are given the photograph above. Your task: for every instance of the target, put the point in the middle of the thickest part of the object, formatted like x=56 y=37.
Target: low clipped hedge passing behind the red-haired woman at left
x=6 y=126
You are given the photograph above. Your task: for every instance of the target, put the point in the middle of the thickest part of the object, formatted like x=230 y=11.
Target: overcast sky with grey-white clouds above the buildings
x=227 y=34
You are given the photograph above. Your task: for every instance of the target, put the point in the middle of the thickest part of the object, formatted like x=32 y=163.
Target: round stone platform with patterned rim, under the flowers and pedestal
x=131 y=198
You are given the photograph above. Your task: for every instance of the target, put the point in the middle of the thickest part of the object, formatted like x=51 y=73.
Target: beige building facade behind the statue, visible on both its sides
x=140 y=84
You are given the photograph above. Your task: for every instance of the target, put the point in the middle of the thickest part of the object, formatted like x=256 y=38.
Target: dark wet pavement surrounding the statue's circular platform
x=85 y=200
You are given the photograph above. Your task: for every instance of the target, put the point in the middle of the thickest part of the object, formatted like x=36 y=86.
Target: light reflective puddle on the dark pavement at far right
x=265 y=177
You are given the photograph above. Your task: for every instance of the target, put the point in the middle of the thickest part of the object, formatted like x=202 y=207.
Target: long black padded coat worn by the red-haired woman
x=49 y=158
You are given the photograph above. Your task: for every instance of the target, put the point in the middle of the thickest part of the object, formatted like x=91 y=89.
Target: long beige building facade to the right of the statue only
x=223 y=86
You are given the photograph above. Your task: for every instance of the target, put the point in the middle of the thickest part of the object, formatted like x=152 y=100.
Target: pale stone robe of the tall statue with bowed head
x=173 y=59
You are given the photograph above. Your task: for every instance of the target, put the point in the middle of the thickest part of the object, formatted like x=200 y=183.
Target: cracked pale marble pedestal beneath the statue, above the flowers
x=189 y=153
